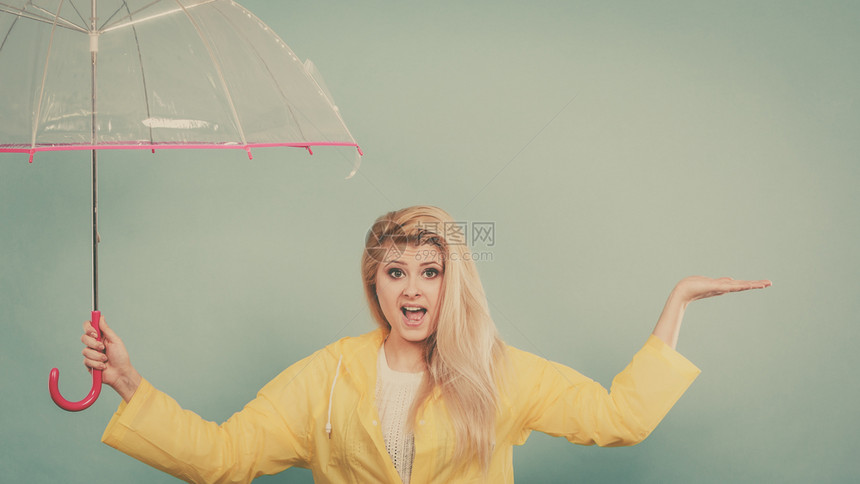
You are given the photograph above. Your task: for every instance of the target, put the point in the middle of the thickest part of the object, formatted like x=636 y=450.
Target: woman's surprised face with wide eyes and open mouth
x=408 y=286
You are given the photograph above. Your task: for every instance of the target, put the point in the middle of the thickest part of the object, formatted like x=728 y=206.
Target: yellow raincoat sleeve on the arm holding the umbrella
x=269 y=434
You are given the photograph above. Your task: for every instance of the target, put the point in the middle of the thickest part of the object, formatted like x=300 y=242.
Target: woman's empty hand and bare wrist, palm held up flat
x=688 y=290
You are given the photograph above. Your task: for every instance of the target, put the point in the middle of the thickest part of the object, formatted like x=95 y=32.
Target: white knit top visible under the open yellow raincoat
x=395 y=392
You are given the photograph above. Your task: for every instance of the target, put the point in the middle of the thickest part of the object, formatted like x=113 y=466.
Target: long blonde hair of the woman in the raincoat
x=464 y=354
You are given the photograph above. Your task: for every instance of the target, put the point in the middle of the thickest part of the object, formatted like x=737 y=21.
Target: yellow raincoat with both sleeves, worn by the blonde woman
x=286 y=424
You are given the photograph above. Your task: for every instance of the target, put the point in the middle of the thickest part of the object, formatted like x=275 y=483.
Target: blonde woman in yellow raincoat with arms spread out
x=433 y=395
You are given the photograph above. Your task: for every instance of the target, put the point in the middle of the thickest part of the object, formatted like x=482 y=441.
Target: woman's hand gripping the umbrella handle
x=110 y=356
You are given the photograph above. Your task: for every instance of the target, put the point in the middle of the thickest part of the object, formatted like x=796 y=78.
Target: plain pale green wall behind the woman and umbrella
x=616 y=146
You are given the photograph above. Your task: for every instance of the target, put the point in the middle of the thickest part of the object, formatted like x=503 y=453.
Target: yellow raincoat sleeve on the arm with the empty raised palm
x=560 y=401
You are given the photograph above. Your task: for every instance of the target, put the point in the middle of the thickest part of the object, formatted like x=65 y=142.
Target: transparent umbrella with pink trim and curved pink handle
x=152 y=74
